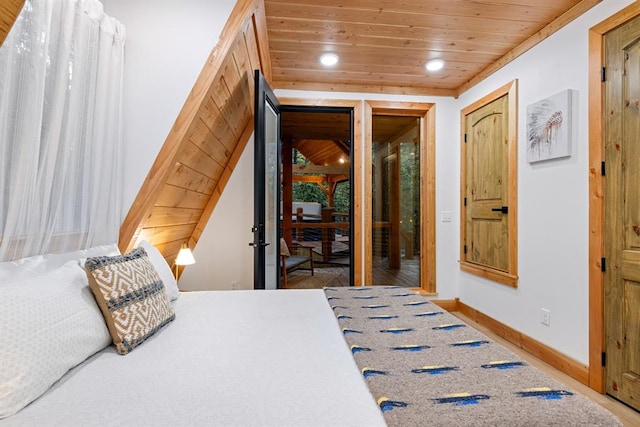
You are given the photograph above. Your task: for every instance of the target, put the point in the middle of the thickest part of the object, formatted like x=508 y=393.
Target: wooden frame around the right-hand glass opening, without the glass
x=426 y=113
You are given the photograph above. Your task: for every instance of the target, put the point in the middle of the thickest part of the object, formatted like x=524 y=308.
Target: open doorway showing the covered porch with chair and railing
x=317 y=196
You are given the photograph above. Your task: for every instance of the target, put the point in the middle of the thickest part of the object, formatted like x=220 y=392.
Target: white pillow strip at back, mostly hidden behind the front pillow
x=27 y=268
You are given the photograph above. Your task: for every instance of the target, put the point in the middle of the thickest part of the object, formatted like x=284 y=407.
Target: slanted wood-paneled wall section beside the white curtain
x=205 y=143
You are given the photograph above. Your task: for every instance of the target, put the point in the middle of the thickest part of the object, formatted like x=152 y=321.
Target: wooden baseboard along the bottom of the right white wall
x=562 y=362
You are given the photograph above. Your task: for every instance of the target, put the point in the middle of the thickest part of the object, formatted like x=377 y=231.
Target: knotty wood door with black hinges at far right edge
x=622 y=213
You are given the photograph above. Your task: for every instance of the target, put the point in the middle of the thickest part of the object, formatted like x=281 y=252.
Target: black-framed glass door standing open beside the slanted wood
x=266 y=240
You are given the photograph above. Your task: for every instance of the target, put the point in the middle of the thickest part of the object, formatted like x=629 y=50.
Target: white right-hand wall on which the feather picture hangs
x=553 y=200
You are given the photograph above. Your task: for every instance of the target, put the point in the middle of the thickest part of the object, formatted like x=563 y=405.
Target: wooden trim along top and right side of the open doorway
x=356 y=148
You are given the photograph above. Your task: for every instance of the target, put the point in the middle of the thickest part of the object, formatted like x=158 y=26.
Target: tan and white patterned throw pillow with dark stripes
x=131 y=296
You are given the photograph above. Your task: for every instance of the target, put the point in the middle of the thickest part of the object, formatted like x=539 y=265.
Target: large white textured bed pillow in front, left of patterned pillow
x=48 y=325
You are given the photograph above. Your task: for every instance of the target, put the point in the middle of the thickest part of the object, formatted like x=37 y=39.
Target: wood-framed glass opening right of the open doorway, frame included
x=399 y=189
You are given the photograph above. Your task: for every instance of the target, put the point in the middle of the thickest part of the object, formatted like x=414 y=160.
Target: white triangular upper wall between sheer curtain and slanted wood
x=167 y=44
